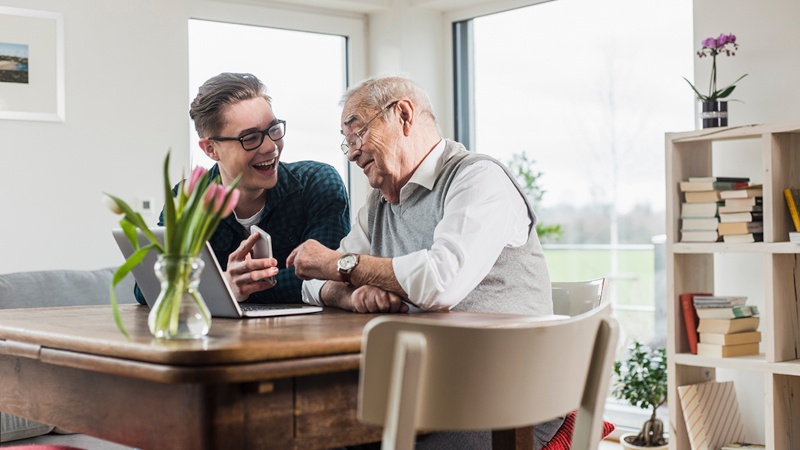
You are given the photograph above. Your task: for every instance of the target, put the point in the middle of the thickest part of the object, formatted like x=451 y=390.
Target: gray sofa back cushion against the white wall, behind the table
x=62 y=288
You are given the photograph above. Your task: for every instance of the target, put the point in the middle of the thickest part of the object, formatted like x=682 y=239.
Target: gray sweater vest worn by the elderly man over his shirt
x=518 y=283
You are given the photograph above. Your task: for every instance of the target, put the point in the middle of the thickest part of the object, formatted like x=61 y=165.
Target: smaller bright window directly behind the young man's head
x=305 y=74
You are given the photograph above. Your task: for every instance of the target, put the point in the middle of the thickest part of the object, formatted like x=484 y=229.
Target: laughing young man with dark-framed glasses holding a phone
x=292 y=202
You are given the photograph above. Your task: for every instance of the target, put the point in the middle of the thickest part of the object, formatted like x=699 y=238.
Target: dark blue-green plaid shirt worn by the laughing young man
x=308 y=202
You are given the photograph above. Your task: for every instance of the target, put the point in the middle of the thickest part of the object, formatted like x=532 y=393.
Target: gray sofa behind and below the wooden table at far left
x=56 y=288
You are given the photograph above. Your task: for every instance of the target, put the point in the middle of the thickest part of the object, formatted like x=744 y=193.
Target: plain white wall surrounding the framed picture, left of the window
x=126 y=104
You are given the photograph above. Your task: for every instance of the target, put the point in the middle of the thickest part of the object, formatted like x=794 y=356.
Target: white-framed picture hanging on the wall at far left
x=31 y=65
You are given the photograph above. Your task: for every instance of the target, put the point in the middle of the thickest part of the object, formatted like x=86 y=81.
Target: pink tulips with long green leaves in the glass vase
x=190 y=218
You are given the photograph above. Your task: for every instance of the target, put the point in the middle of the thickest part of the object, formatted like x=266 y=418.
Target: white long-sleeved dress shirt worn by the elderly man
x=483 y=213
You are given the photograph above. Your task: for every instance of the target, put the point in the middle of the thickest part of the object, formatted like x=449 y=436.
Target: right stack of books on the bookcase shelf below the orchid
x=741 y=217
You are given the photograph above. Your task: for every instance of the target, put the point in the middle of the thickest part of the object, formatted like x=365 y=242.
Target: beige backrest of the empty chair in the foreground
x=422 y=373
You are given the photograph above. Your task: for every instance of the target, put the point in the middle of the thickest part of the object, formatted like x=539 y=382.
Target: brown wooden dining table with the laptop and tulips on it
x=262 y=383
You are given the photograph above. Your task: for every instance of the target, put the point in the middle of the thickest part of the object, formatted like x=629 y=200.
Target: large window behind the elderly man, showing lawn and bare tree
x=586 y=90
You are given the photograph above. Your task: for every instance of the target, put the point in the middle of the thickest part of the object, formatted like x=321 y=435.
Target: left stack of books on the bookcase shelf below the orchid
x=699 y=211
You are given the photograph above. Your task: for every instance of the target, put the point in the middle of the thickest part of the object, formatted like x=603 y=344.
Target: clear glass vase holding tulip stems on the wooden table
x=179 y=311
